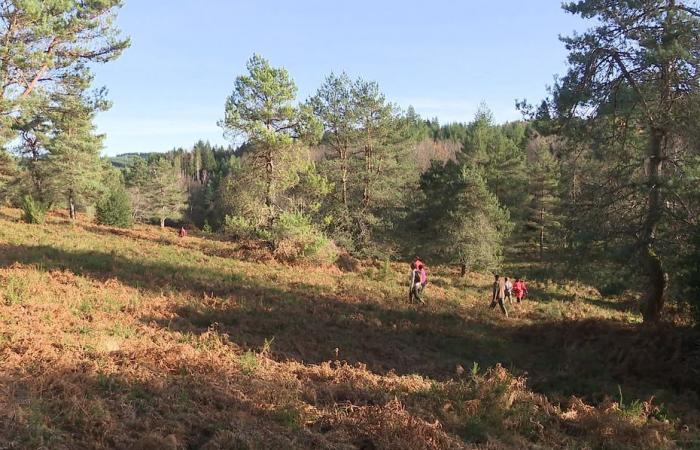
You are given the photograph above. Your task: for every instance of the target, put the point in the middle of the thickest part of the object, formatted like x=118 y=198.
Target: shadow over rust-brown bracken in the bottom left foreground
x=193 y=403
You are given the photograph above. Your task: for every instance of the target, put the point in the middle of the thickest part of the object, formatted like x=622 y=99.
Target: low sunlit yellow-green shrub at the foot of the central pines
x=296 y=239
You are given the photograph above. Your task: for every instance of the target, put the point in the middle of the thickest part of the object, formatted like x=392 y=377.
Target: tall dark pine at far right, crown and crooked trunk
x=637 y=72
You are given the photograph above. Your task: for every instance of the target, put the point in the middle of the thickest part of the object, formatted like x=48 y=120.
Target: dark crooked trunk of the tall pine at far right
x=656 y=277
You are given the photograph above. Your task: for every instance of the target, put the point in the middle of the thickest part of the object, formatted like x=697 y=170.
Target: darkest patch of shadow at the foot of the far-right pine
x=596 y=357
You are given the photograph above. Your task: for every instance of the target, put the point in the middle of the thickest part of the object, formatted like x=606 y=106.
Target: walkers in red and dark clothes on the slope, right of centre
x=503 y=288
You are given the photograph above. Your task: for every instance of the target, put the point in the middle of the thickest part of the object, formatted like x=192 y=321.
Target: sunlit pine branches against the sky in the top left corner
x=45 y=45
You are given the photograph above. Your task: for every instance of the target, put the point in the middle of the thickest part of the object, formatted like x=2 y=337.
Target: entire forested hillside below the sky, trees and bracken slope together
x=284 y=297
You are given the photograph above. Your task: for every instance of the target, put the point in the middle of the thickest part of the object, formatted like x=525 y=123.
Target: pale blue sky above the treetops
x=443 y=57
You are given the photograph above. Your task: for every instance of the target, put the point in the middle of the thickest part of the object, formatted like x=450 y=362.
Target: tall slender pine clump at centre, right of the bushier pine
x=369 y=161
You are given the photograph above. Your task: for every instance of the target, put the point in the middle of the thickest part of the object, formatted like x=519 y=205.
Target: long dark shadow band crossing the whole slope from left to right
x=587 y=358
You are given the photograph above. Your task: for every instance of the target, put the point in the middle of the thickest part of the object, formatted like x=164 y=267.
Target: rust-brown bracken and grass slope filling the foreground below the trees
x=138 y=339
